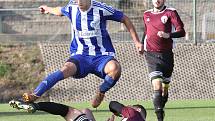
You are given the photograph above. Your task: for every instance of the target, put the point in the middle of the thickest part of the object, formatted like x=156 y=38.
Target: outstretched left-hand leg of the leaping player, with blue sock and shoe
x=68 y=69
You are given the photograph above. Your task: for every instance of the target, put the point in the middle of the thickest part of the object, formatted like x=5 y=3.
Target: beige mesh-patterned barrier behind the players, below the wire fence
x=193 y=76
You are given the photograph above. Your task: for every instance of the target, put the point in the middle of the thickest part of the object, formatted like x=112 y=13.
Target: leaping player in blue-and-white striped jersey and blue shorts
x=91 y=47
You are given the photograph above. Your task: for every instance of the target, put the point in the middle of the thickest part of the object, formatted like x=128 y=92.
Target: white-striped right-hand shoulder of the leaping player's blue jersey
x=102 y=6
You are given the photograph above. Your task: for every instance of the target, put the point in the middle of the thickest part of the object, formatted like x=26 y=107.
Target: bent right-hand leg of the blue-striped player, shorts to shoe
x=110 y=70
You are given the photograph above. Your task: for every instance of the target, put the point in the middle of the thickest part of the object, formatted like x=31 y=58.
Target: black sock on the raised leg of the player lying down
x=52 y=108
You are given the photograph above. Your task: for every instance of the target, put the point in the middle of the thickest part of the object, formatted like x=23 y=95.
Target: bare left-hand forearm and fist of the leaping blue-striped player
x=50 y=10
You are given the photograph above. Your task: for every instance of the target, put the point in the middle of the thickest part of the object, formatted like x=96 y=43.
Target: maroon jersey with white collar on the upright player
x=167 y=20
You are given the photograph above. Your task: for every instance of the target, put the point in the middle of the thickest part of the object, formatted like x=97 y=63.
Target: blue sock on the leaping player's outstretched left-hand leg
x=48 y=82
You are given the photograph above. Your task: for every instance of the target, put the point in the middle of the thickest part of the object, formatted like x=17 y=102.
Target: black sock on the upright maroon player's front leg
x=157 y=101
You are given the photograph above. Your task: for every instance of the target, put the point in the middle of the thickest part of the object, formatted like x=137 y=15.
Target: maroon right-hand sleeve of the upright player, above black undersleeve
x=176 y=21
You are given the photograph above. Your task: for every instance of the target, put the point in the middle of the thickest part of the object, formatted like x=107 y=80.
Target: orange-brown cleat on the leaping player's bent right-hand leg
x=98 y=98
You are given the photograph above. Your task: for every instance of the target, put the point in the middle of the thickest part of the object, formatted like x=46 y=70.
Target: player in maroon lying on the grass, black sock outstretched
x=128 y=113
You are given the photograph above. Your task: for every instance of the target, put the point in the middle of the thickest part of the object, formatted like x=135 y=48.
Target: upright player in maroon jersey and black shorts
x=158 y=43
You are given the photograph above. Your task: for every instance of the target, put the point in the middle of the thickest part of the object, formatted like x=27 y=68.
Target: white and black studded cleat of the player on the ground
x=22 y=105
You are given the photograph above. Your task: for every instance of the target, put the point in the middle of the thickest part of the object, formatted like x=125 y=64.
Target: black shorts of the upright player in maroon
x=160 y=64
